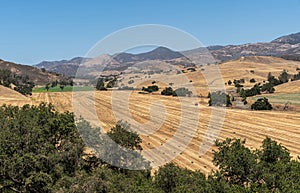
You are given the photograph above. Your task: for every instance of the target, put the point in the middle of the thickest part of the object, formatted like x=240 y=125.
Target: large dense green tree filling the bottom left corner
x=38 y=146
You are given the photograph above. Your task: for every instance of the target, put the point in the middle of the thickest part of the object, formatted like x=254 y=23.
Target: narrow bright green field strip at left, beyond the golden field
x=66 y=89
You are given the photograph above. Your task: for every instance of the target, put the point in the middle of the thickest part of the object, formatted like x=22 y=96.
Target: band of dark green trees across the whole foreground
x=42 y=151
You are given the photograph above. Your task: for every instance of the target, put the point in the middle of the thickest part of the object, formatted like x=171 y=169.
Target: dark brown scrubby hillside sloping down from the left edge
x=38 y=76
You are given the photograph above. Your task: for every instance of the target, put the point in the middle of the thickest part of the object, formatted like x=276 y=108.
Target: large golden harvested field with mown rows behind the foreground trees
x=165 y=114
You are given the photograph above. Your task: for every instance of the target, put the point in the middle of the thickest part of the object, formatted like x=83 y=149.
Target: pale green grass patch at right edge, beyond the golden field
x=293 y=98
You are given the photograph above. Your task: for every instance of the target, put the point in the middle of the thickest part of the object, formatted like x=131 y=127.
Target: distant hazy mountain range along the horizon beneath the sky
x=288 y=46
